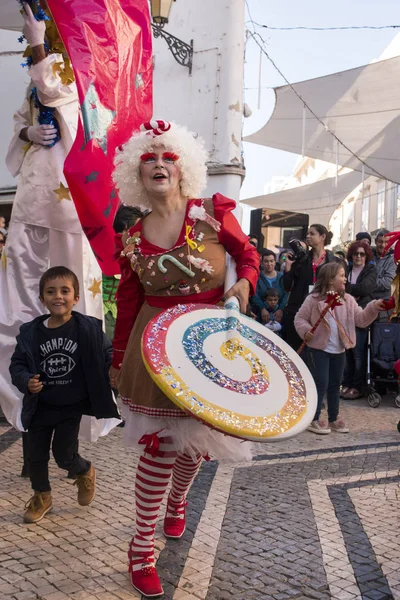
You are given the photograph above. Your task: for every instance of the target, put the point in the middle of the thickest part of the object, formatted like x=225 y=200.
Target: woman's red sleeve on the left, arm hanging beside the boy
x=129 y=297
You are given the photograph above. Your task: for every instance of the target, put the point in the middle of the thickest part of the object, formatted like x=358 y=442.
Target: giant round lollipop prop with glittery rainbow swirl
x=268 y=393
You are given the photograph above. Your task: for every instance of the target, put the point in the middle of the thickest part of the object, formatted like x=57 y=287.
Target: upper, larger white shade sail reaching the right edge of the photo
x=361 y=106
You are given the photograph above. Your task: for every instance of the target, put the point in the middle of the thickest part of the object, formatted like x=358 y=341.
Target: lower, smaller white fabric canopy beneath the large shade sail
x=317 y=199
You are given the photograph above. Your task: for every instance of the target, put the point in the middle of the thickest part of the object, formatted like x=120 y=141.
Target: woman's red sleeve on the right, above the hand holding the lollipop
x=235 y=242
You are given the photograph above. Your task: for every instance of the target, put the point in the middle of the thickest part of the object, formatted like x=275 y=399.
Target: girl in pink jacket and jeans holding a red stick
x=327 y=345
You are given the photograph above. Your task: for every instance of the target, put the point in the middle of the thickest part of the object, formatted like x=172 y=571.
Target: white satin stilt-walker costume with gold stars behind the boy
x=44 y=229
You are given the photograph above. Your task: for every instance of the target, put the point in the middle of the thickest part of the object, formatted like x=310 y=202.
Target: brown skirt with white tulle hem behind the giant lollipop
x=147 y=410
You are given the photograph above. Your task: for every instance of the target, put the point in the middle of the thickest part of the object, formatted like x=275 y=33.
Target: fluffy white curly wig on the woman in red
x=192 y=163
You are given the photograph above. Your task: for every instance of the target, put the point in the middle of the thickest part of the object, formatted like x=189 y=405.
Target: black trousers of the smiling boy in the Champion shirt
x=64 y=423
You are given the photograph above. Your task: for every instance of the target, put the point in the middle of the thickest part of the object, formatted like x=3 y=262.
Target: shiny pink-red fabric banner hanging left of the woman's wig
x=110 y=46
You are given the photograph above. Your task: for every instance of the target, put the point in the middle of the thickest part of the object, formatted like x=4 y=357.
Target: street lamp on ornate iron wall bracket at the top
x=182 y=52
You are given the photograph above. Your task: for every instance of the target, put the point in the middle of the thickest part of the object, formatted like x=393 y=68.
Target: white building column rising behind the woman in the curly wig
x=209 y=101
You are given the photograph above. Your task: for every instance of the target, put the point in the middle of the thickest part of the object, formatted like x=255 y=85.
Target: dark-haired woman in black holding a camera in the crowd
x=300 y=274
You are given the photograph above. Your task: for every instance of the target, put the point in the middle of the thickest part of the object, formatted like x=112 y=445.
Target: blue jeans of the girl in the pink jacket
x=327 y=371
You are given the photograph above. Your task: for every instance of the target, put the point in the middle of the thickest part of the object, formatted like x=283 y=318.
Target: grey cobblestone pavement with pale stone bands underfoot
x=315 y=517
